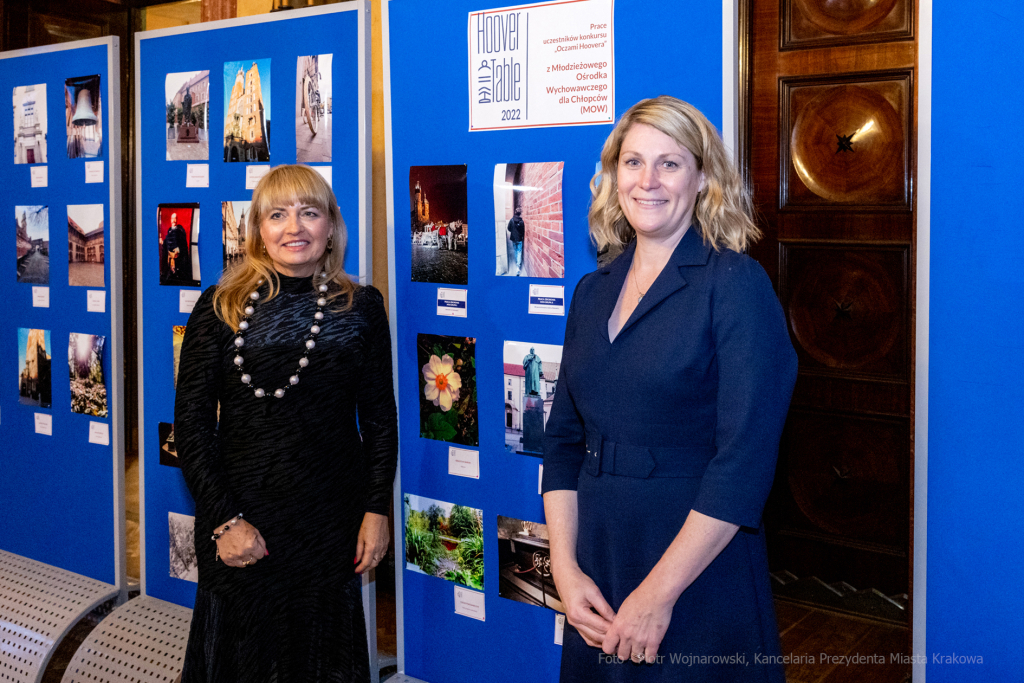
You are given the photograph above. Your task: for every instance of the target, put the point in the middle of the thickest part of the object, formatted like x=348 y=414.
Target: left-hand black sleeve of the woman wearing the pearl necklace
x=196 y=436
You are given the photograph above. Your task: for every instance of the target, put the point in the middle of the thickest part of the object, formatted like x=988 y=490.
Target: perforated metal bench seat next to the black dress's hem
x=143 y=642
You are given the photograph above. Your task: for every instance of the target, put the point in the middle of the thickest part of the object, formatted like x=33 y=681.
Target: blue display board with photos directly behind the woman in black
x=262 y=62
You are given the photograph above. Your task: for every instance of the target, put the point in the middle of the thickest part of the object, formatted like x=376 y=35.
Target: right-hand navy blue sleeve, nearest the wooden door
x=757 y=371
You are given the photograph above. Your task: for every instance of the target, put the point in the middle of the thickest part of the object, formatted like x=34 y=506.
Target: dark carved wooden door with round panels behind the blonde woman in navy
x=829 y=144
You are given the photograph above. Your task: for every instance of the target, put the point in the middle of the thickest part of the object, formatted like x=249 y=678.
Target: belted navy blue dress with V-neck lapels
x=685 y=410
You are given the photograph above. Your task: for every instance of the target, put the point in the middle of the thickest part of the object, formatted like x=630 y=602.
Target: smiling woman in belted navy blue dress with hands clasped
x=661 y=449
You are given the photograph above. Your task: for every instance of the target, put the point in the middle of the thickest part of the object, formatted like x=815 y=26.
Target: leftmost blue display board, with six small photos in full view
x=62 y=495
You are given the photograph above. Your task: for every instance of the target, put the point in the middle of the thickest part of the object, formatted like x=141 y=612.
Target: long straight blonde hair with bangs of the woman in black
x=285 y=186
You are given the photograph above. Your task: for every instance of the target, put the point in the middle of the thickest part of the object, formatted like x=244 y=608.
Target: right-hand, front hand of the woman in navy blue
x=639 y=627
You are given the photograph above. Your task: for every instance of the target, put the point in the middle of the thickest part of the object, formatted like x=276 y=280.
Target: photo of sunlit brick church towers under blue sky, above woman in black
x=247 y=111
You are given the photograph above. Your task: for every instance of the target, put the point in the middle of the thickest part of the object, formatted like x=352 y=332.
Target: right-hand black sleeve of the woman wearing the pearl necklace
x=378 y=417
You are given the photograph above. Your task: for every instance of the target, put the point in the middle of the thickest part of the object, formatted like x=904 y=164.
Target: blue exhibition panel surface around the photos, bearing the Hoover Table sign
x=431 y=127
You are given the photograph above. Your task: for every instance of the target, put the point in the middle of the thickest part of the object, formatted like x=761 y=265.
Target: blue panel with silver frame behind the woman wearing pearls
x=274 y=45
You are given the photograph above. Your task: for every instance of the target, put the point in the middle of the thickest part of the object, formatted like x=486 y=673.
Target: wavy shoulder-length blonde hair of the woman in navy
x=724 y=209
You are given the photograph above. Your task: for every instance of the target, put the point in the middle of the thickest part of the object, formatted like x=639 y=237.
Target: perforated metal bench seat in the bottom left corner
x=39 y=605
